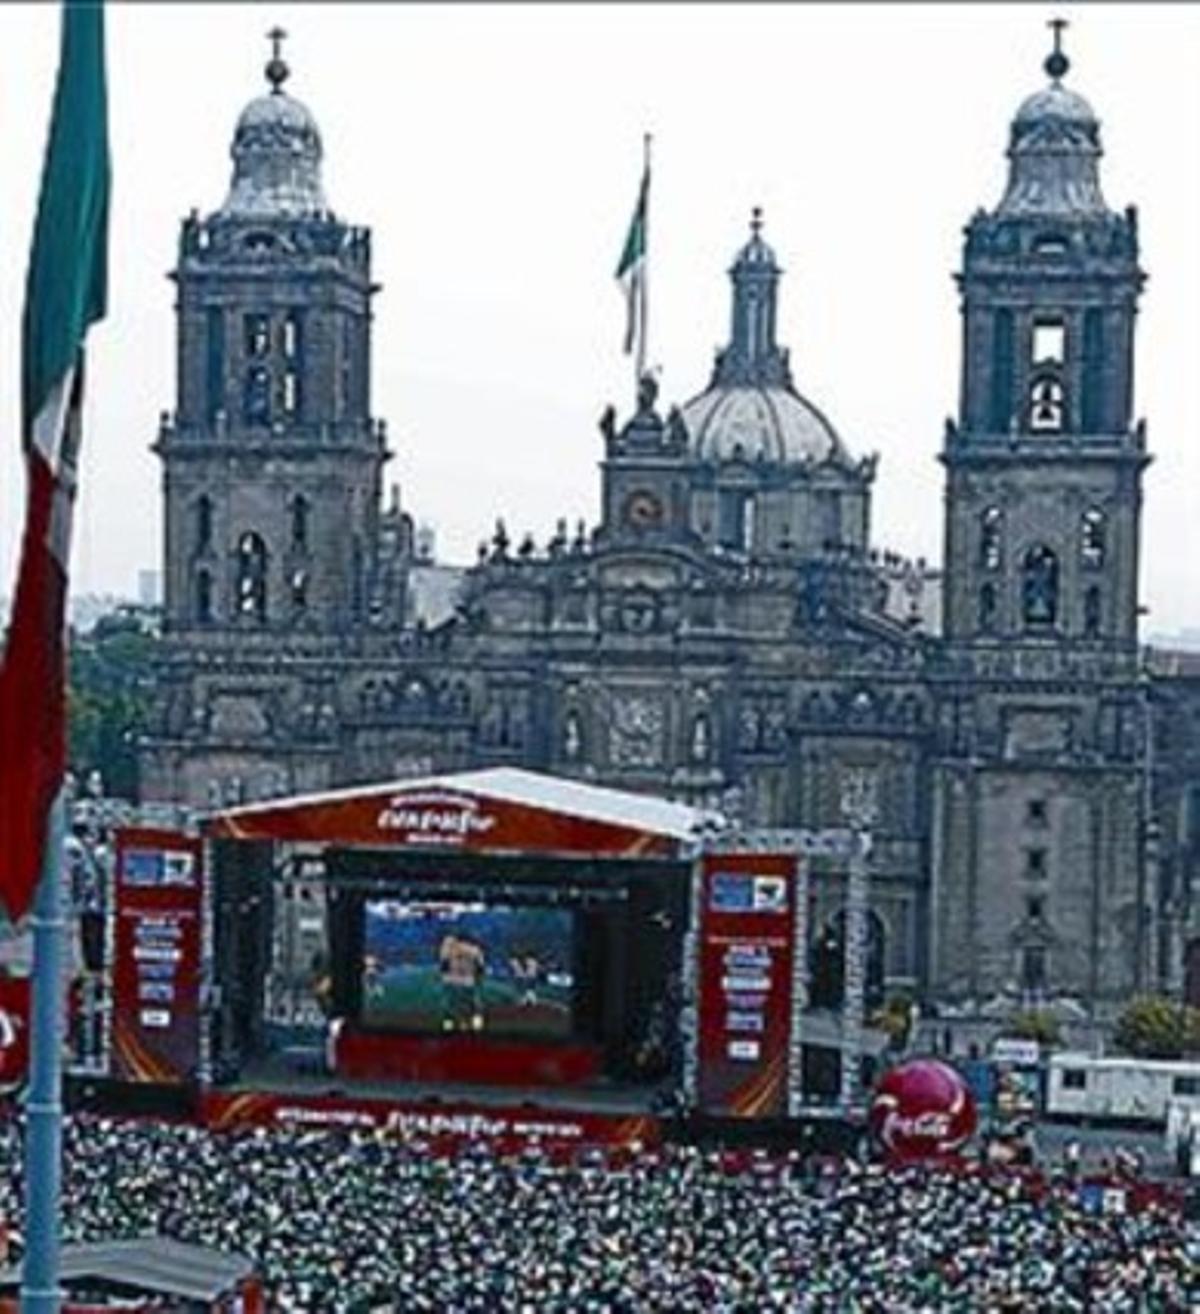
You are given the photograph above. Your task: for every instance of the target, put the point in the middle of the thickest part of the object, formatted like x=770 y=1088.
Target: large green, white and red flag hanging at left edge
x=65 y=294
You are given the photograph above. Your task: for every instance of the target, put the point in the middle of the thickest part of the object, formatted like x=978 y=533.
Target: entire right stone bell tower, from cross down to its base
x=1040 y=865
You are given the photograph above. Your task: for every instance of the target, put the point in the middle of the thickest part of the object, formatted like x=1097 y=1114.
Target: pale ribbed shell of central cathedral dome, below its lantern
x=755 y=424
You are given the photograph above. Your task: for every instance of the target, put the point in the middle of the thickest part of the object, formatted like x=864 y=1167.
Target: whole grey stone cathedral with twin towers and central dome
x=727 y=634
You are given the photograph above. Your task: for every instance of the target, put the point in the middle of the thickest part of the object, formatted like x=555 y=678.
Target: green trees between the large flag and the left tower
x=108 y=689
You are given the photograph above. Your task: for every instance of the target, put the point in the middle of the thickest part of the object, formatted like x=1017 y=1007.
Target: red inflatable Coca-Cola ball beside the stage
x=922 y=1110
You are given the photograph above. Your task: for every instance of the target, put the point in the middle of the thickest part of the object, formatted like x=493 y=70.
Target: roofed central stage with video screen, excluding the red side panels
x=494 y=955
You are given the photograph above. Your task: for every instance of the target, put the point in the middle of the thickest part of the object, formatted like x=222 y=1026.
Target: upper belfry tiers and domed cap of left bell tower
x=271 y=463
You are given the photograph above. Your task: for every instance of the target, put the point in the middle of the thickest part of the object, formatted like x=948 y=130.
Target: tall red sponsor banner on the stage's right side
x=746 y=966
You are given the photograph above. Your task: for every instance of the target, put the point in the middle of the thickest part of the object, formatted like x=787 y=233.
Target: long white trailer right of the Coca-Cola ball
x=1119 y=1089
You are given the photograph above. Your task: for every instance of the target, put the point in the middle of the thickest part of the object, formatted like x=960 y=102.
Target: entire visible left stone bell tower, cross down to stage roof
x=273 y=470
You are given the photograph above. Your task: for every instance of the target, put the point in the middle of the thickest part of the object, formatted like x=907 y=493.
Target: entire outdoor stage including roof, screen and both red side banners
x=497 y=951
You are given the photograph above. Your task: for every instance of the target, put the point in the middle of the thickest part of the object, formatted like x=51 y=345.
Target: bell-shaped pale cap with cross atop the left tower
x=277 y=154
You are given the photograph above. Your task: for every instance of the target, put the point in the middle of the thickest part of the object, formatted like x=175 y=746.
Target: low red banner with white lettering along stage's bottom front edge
x=442 y=1124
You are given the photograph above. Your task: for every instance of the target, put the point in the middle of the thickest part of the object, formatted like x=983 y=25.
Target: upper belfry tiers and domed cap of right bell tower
x=1044 y=467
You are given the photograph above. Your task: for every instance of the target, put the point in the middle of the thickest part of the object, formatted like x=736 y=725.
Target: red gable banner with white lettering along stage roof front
x=444 y=819
